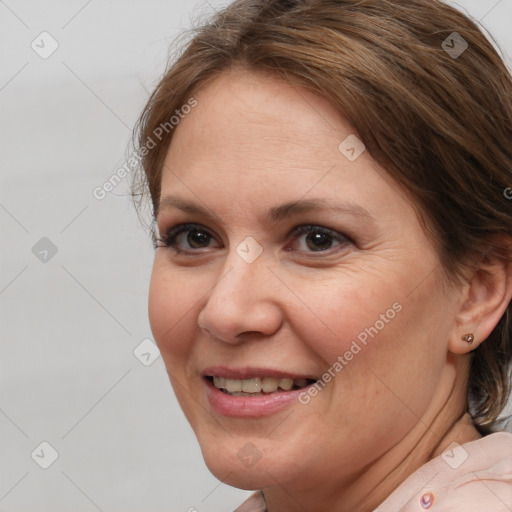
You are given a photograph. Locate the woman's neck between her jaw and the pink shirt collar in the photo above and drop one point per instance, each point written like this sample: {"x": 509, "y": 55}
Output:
{"x": 444, "y": 422}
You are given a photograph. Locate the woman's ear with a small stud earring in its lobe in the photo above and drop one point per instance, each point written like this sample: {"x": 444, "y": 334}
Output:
{"x": 487, "y": 295}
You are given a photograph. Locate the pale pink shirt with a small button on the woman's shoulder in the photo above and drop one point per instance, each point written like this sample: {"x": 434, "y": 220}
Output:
{"x": 473, "y": 477}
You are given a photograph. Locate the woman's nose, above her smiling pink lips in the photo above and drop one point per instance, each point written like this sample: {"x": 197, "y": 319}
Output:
{"x": 243, "y": 303}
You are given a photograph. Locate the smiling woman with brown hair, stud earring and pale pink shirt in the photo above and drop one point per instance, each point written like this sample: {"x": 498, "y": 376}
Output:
{"x": 332, "y": 282}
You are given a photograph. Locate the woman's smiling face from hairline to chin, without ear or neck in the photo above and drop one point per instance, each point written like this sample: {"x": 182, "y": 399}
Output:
{"x": 301, "y": 260}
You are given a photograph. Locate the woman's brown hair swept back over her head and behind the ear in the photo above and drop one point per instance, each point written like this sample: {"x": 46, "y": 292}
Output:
{"x": 438, "y": 122}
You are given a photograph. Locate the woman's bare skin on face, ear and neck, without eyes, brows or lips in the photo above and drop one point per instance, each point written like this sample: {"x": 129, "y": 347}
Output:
{"x": 254, "y": 142}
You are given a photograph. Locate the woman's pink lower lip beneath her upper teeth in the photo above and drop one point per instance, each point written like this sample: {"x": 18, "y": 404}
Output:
{"x": 249, "y": 407}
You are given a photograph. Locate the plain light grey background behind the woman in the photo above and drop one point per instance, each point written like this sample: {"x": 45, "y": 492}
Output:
{"x": 70, "y": 324}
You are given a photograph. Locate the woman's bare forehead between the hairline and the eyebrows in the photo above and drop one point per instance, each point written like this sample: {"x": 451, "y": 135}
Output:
{"x": 258, "y": 139}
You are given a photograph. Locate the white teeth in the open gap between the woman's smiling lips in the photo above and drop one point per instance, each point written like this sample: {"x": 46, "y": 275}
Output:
{"x": 257, "y": 386}
